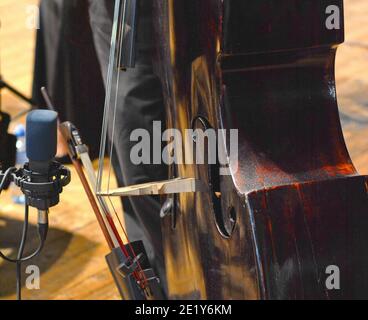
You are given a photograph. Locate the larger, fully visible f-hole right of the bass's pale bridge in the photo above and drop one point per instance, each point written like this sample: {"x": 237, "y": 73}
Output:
{"x": 214, "y": 178}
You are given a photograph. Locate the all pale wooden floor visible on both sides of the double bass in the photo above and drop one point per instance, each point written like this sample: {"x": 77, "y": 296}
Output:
{"x": 72, "y": 264}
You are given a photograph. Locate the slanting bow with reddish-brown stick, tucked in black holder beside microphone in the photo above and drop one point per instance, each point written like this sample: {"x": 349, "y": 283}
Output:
{"x": 123, "y": 257}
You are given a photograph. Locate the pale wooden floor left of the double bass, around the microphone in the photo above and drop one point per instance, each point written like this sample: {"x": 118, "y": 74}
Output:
{"x": 72, "y": 264}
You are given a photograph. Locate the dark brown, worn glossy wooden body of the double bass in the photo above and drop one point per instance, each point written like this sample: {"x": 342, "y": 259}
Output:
{"x": 295, "y": 206}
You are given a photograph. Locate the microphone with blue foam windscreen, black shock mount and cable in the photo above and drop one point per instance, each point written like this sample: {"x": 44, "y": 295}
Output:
{"x": 41, "y": 179}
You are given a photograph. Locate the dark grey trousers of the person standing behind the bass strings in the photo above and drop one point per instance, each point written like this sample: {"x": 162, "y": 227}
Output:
{"x": 140, "y": 103}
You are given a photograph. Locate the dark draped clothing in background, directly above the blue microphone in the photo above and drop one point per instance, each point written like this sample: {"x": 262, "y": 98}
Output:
{"x": 66, "y": 64}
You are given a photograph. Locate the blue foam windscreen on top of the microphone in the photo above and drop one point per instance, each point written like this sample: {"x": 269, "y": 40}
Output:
{"x": 41, "y": 135}
